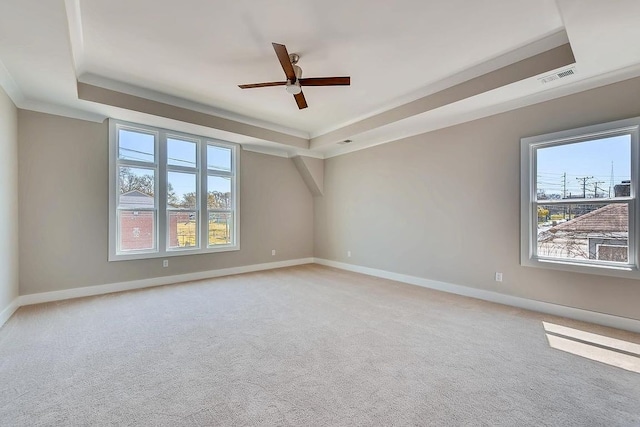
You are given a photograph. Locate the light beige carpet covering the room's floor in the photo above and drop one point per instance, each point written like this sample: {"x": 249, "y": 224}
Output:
{"x": 300, "y": 346}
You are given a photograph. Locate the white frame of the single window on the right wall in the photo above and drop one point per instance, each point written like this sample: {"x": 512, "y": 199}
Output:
{"x": 528, "y": 201}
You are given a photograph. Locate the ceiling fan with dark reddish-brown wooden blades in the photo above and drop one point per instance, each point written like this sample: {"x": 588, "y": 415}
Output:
{"x": 295, "y": 81}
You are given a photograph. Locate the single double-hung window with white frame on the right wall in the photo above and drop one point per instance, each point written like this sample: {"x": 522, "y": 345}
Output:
{"x": 579, "y": 199}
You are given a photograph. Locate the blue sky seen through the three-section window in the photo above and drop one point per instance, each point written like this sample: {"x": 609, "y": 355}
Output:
{"x": 140, "y": 146}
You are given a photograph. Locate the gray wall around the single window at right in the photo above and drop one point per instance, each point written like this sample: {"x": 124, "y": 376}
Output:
{"x": 445, "y": 205}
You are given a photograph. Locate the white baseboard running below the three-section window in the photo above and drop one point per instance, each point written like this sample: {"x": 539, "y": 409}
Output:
{"x": 155, "y": 281}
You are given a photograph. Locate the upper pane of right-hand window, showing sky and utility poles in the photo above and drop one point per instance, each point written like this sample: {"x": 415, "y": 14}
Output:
{"x": 598, "y": 168}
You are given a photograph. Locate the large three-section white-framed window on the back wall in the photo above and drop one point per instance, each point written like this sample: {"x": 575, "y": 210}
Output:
{"x": 170, "y": 193}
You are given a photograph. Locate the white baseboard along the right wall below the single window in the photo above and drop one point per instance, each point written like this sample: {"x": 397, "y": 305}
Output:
{"x": 543, "y": 307}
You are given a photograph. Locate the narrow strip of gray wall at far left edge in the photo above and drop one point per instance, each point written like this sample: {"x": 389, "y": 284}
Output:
{"x": 9, "y": 197}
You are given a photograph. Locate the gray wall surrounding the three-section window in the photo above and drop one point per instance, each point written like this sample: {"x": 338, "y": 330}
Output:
{"x": 63, "y": 184}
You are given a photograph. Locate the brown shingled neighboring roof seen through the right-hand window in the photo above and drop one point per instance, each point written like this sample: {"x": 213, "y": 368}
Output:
{"x": 609, "y": 218}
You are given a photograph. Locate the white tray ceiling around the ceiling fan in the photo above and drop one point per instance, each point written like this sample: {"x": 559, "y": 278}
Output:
{"x": 194, "y": 54}
